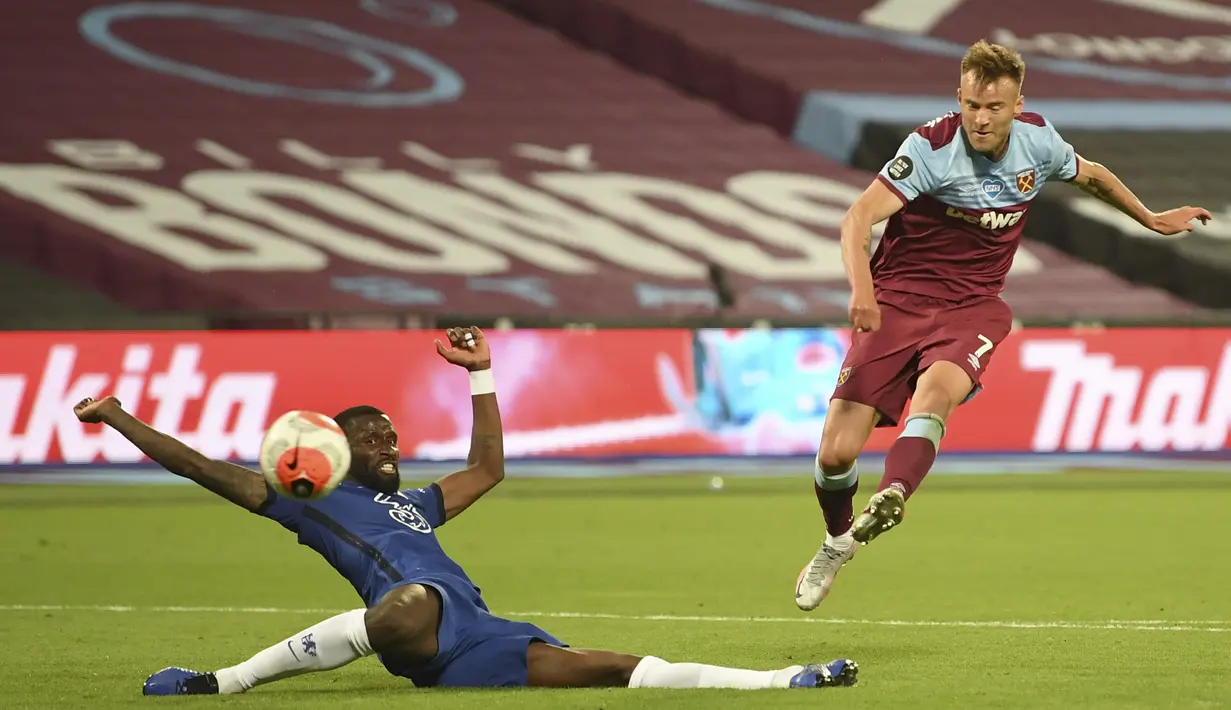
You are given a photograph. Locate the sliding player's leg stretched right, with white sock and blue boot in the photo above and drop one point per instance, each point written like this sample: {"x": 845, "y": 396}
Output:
{"x": 555, "y": 668}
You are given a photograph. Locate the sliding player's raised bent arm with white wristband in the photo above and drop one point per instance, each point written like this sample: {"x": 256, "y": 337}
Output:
{"x": 486, "y": 465}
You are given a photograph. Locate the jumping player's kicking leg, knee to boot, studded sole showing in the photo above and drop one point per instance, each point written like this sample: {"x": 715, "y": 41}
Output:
{"x": 937, "y": 394}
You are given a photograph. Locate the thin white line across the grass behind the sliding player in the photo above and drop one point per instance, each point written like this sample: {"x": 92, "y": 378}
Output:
{"x": 1115, "y": 626}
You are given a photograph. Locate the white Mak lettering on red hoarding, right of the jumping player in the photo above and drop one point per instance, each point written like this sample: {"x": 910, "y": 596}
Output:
{"x": 1095, "y": 404}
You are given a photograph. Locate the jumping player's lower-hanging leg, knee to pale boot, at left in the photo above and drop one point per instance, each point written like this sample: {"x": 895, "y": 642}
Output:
{"x": 836, "y": 479}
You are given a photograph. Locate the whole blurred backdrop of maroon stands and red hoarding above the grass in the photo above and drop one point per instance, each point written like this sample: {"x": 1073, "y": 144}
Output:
{"x": 221, "y": 212}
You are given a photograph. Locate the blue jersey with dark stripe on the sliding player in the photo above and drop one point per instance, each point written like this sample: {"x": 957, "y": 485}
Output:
{"x": 376, "y": 541}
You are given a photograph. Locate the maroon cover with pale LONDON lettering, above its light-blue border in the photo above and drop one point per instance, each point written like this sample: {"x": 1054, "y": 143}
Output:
{"x": 760, "y": 58}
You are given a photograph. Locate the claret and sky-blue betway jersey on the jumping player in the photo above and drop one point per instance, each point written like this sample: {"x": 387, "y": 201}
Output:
{"x": 964, "y": 213}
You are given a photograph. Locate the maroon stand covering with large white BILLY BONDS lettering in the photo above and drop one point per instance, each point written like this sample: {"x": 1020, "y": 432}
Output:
{"x": 441, "y": 158}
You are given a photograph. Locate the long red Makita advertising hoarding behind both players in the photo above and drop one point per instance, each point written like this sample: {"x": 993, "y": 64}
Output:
{"x": 593, "y": 394}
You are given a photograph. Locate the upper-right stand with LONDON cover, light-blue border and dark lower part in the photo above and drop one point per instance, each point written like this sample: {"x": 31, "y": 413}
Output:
{"x": 1142, "y": 87}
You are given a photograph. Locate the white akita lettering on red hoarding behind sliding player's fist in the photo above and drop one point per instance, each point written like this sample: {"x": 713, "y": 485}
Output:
{"x": 235, "y": 408}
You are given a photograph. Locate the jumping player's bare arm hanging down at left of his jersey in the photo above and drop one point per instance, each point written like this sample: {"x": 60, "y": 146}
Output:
{"x": 877, "y": 205}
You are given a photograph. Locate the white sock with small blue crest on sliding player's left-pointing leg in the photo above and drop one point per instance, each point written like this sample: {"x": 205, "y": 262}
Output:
{"x": 332, "y": 644}
